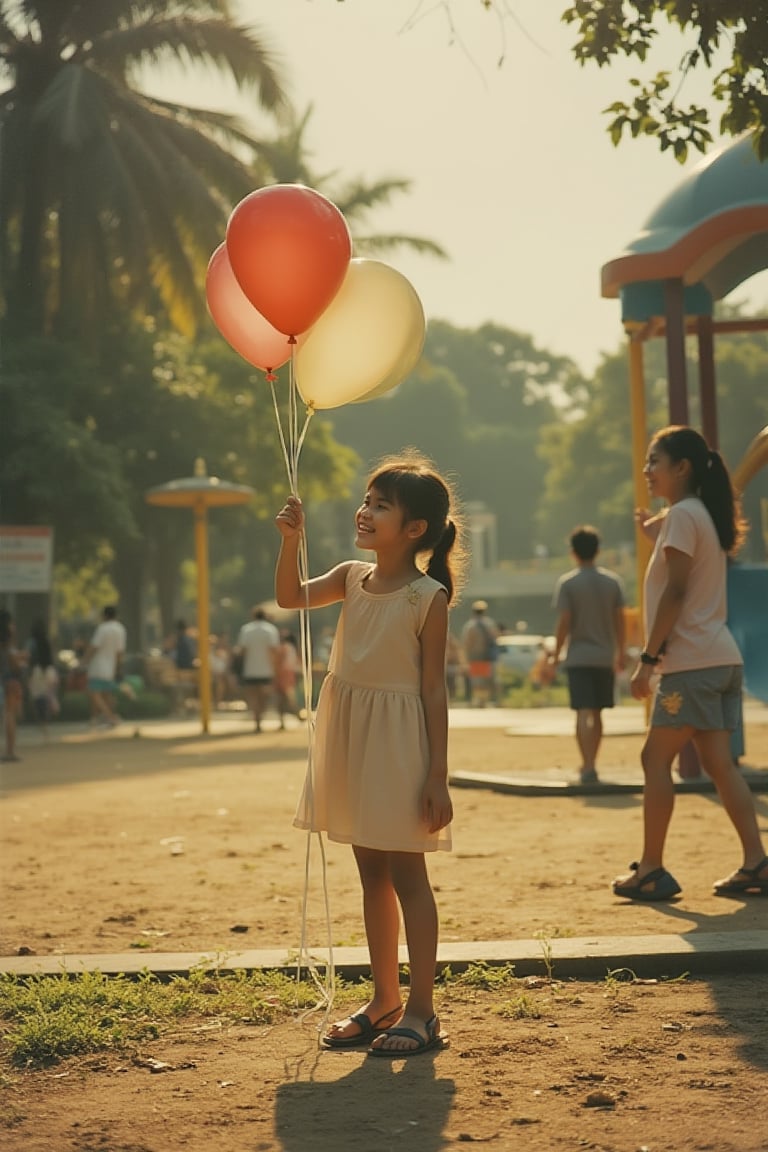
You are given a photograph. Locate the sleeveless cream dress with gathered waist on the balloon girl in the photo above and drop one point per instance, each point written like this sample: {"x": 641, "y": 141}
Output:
{"x": 371, "y": 755}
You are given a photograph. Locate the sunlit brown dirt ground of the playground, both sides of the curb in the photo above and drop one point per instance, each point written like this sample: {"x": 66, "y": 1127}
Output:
{"x": 120, "y": 843}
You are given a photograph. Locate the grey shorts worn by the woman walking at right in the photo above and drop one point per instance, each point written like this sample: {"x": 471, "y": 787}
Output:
{"x": 709, "y": 700}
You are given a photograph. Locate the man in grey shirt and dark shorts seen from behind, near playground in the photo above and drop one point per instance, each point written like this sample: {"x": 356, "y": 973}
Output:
{"x": 590, "y": 602}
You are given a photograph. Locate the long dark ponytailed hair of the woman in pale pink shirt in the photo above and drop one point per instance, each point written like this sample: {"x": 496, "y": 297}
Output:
{"x": 711, "y": 480}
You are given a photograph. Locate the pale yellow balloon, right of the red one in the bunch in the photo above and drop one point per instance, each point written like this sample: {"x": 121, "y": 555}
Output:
{"x": 369, "y": 338}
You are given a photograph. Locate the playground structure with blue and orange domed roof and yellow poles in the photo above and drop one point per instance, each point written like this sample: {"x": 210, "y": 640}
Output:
{"x": 704, "y": 240}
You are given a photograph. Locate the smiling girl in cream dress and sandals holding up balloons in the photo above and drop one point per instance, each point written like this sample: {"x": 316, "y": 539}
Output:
{"x": 381, "y": 780}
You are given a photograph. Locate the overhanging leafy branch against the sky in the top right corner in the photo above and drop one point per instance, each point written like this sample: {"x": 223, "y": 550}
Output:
{"x": 612, "y": 29}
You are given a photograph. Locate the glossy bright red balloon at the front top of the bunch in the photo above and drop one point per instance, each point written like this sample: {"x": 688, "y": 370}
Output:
{"x": 290, "y": 248}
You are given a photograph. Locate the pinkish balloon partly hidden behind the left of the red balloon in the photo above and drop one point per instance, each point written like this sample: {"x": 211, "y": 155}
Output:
{"x": 239, "y": 322}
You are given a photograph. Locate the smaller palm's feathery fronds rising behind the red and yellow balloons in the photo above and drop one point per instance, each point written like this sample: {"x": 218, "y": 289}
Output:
{"x": 290, "y": 162}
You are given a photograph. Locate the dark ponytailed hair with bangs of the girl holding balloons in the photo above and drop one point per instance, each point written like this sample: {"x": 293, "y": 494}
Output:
{"x": 413, "y": 483}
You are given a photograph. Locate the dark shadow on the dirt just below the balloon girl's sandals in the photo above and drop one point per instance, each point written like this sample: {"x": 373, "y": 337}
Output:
{"x": 379, "y": 1105}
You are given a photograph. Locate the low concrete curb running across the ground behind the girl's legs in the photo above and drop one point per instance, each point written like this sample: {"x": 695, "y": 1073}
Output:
{"x": 583, "y": 958}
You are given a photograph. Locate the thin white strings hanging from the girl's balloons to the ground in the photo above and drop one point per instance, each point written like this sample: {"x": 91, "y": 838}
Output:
{"x": 292, "y": 444}
